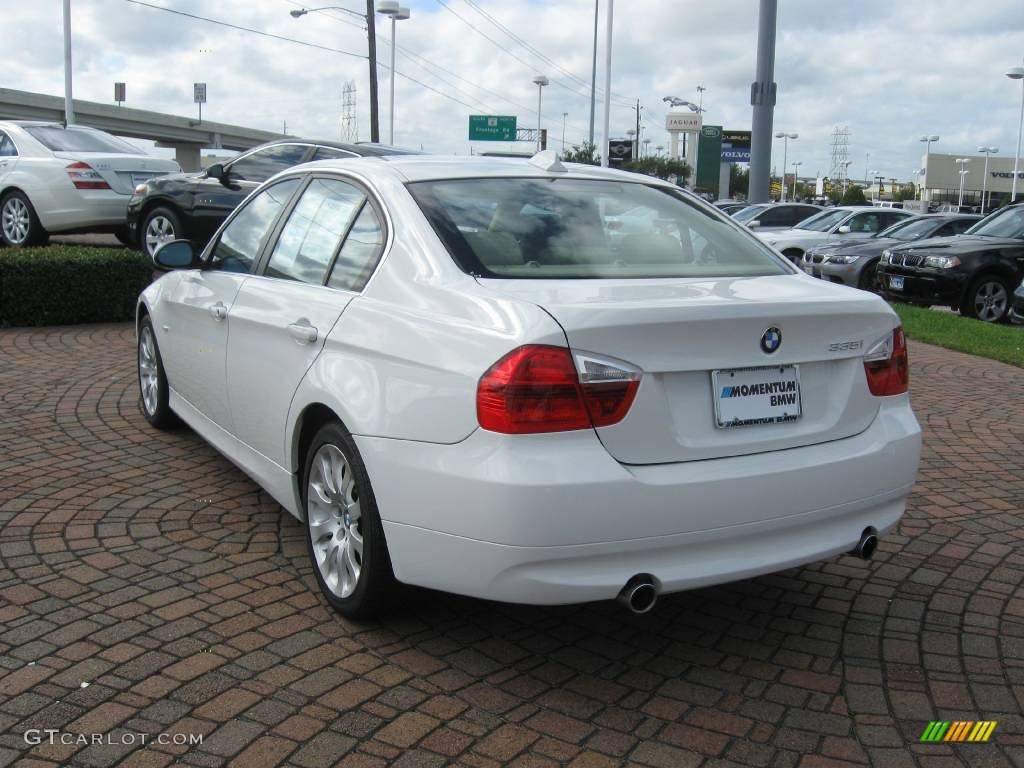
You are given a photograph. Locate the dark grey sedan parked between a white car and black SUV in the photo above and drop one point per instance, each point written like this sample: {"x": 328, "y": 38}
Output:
{"x": 854, "y": 263}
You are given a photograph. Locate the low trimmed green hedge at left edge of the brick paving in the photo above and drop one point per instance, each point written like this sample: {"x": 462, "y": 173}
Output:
{"x": 66, "y": 285}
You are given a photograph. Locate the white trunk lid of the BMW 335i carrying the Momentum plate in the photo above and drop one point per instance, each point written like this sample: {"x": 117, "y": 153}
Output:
{"x": 680, "y": 331}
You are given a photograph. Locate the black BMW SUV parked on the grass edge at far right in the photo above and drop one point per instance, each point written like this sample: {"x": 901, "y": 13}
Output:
{"x": 975, "y": 273}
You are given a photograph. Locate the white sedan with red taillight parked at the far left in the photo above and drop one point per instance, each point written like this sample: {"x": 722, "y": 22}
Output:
{"x": 57, "y": 180}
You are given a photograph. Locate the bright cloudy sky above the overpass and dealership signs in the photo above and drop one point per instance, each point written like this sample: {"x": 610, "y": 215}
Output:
{"x": 889, "y": 71}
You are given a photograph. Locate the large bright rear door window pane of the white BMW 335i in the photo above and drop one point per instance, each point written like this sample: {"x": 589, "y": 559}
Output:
{"x": 314, "y": 232}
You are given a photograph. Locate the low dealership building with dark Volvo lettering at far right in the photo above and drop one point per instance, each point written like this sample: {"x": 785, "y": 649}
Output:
{"x": 944, "y": 179}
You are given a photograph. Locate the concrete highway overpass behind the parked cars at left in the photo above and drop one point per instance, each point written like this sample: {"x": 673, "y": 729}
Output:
{"x": 186, "y": 136}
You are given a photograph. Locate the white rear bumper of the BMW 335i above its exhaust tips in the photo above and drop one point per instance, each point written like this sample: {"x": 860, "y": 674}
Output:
{"x": 554, "y": 520}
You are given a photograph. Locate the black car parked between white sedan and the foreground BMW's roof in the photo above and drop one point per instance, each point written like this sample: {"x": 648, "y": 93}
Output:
{"x": 194, "y": 205}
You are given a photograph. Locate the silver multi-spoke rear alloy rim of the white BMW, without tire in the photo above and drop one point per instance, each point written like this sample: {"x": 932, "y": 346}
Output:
{"x": 335, "y": 519}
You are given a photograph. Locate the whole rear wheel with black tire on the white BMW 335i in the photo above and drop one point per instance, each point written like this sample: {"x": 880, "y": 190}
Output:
{"x": 330, "y": 513}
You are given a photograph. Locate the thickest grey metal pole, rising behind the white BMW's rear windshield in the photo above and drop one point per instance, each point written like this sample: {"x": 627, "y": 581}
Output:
{"x": 763, "y": 93}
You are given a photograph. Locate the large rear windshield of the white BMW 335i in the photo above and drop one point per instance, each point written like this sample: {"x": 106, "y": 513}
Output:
{"x": 567, "y": 229}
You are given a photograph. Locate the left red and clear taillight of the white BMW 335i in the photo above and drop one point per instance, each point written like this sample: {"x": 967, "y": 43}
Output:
{"x": 537, "y": 389}
